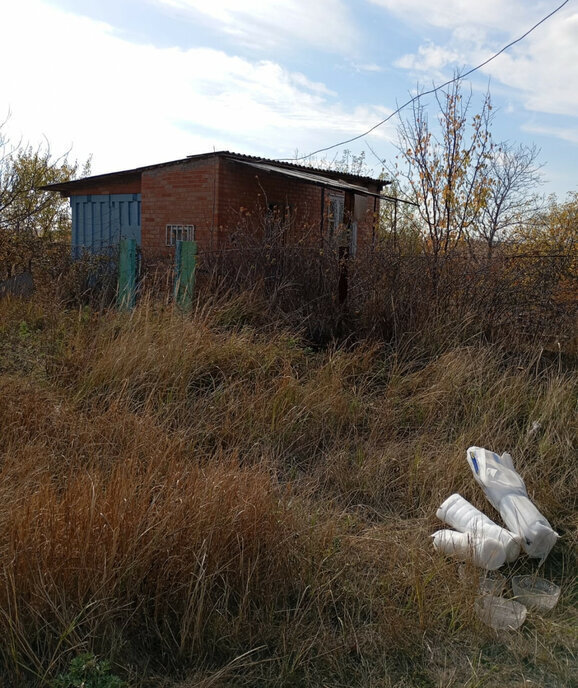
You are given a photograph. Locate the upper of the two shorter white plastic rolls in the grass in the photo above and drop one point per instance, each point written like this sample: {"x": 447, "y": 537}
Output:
{"x": 458, "y": 513}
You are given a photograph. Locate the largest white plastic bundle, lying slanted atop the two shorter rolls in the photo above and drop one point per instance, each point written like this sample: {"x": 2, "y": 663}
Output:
{"x": 506, "y": 491}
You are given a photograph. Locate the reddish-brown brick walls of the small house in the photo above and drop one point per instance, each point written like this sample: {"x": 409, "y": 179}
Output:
{"x": 228, "y": 203}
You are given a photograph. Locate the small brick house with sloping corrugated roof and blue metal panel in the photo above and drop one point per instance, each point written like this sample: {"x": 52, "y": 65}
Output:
{"x": 219, "y": 199}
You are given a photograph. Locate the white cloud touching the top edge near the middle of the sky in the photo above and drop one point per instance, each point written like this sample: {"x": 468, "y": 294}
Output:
{"x": 327, "y": 25}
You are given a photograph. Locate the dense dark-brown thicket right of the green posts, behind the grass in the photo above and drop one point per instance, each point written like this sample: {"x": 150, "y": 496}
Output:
{"x": 404, "y": 295}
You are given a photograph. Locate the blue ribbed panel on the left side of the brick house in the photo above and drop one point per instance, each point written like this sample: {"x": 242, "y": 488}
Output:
{"x": 100, "y": 221}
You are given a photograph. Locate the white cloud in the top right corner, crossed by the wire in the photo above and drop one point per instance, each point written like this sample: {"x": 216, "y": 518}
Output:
{"x": 540, "y": 70}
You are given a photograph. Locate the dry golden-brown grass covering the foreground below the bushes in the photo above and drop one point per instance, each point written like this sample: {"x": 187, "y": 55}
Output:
{"x": 210, "y": 500}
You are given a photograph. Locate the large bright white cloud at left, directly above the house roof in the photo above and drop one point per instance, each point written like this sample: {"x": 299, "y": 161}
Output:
{"x": 77, "y": 82}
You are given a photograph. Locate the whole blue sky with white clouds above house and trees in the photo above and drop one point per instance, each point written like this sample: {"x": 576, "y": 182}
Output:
{"x": 136, "y": 82}
